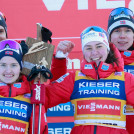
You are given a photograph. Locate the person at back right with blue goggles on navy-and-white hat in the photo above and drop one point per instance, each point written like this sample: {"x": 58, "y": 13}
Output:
{"x": 121, "y": 34}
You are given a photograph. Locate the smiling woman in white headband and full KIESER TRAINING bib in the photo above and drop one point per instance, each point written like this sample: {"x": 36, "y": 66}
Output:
{"x": 99, "y": 91}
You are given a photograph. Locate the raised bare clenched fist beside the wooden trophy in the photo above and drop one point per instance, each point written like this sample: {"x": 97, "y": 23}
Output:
{"x": 65, "y": 46}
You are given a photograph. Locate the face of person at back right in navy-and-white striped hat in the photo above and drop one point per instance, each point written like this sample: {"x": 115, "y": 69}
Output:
{"x": 122, "y": 38}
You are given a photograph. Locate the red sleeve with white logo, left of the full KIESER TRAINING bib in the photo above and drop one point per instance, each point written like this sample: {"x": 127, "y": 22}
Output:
{"x": 60, "y": 91}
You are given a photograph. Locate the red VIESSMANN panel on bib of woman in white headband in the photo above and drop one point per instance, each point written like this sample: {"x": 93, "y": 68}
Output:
{"x": 109, "y": 107}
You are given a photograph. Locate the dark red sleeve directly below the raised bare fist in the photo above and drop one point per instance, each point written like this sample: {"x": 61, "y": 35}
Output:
{"x": 58, "y": 67}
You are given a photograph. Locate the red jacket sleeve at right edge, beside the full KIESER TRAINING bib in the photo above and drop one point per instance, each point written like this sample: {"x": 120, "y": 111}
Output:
{"x": 129, "y": 88}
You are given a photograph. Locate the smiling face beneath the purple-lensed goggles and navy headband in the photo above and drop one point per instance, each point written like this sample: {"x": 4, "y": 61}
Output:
{"x": 9, "y": 70}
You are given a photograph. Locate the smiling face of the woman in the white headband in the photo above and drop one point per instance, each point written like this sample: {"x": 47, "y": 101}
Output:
{"x": 95, "y": 51}
